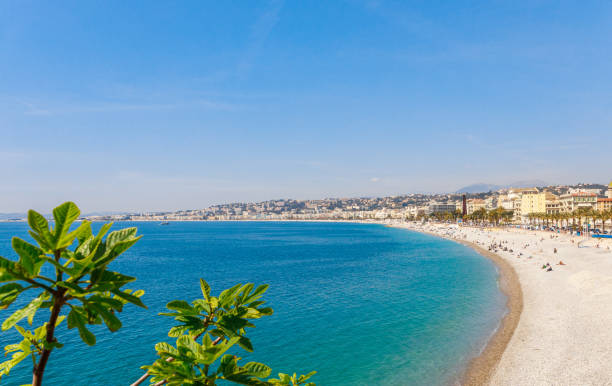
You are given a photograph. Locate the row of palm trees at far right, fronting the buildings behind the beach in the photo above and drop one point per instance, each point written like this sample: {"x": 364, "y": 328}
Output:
{"x": 574, "y": 219}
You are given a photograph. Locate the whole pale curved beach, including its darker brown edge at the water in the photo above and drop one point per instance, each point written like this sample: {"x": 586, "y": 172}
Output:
{"x": 564, "y": 334}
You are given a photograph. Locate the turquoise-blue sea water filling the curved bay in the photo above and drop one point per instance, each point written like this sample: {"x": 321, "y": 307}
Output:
{"x": 361, "y": 304}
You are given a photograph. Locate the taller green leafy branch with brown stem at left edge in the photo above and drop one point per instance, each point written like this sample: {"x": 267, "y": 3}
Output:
{"x": 82, "y": 284}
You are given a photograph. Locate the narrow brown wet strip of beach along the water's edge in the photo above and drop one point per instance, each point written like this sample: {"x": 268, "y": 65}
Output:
{"x": 481, "y": 368}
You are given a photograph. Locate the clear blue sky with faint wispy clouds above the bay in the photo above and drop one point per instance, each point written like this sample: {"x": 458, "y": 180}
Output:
{"x": 172, "y": 105}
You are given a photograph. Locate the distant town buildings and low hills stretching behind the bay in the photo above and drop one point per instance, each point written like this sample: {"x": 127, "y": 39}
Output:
{"x": 518, "y": 205}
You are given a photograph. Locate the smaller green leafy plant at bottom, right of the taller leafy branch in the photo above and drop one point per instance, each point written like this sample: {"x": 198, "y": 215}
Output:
{"x": 221, "y": 322}
